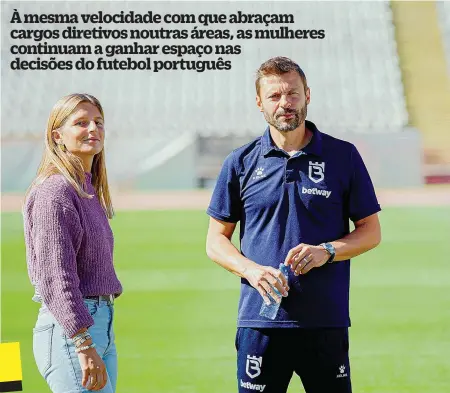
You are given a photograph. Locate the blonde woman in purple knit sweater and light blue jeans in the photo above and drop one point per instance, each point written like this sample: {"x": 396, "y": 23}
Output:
{"x": 69, "y": 247}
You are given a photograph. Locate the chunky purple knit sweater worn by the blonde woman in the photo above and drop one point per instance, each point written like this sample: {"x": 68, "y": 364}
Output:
{"x": 69, "y": 246}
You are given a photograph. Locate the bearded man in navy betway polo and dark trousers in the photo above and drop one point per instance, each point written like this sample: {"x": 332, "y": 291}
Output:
{"x": 294, "y": 191}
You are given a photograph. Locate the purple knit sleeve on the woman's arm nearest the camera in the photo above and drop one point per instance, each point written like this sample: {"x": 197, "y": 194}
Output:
{"x": 57, "y": 233}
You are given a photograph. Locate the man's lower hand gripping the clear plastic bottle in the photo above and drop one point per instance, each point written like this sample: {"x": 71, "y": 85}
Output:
{"x": 264, "y": 278}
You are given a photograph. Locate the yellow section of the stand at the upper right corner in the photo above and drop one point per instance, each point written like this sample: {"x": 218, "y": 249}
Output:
{"x": 420, "y": 37}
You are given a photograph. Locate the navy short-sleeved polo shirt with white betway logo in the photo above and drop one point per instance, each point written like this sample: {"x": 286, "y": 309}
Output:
{"x": 282, "y": 201}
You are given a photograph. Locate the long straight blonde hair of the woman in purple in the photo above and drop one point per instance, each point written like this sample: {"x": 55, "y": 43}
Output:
{"x": 57, "y": 160}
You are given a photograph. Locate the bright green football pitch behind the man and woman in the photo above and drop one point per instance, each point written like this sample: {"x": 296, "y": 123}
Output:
{"x": 175, "y": 323}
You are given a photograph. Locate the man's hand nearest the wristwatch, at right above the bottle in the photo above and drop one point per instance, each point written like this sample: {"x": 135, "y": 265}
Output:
{"x": 304, "y": 257}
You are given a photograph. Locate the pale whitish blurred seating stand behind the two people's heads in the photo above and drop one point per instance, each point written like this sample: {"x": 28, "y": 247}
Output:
{"x": 345, "y": 71}
